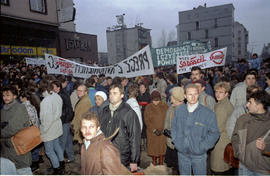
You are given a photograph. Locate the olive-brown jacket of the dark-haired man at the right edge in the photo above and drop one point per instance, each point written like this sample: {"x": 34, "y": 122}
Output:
{"x": 249, "y": 127}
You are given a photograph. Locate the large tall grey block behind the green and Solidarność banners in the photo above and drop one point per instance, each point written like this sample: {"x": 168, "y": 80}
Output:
{"x": 214, "y": 24}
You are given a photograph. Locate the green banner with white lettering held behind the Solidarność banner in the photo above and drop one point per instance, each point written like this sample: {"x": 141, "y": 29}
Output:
{"x": 166, "y": 56}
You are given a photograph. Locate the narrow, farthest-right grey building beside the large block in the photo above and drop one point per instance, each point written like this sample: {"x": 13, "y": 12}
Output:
{"x": 240, "y": 42}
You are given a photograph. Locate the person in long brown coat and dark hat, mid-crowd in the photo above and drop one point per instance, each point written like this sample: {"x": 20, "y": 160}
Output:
{"x": 154, "y": 116}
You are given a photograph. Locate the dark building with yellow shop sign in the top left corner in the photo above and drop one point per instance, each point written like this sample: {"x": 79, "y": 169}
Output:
{"x": 29, "y": 28}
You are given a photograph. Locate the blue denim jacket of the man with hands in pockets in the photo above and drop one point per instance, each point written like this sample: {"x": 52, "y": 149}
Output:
{"x": 196, "y": 132}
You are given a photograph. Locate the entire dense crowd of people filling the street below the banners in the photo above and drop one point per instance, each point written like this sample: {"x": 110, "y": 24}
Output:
{"x": 185, "y": 121}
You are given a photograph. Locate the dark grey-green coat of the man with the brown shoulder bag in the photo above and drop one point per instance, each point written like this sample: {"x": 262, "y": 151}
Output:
{"x": 16, "y": 117}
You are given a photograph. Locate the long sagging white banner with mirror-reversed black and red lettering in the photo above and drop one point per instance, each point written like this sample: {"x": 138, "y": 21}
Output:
{"x": 138, "y": 64}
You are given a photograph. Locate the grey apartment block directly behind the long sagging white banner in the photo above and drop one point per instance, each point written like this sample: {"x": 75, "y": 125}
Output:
{"x": 123, "y": 42}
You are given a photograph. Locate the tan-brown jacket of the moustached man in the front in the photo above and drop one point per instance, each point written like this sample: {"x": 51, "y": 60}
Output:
{"x": 101, "y": 158}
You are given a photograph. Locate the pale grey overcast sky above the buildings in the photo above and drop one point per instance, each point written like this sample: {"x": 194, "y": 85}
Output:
{"x": 94, "y": 16}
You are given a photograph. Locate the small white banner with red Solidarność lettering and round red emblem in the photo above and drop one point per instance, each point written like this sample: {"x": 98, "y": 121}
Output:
{"x": 207, "y": 60}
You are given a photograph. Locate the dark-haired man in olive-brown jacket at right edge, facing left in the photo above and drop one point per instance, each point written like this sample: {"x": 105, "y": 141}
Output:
{"x": 249, "y": 139}
